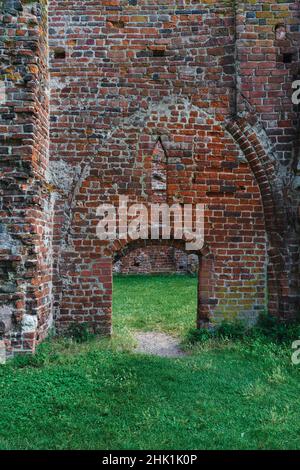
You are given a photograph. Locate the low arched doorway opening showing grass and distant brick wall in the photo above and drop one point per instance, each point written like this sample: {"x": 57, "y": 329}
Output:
{"x": 155, "y": 288}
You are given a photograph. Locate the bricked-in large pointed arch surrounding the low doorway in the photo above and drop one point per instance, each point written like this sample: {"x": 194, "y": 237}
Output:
{"x": 164, "y": 163}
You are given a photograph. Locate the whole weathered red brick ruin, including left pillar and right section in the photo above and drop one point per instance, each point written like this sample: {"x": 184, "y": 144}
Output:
{"x": 160, "y": 101}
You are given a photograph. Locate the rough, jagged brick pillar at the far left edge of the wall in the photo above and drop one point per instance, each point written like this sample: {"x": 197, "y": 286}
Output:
{"x": 25, "y": 199}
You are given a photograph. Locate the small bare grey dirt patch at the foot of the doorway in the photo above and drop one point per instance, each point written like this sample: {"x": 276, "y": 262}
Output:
{"x": 158, "y": 344}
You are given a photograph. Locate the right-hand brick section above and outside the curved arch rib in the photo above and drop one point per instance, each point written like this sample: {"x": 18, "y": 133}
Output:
{"x": 268, "y": 45}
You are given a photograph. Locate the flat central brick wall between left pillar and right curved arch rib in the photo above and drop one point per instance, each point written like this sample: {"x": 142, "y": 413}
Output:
{"x": 127, "y": 76}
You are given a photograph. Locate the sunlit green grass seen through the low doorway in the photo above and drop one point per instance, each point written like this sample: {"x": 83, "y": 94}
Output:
{"x": 155, "y": 303}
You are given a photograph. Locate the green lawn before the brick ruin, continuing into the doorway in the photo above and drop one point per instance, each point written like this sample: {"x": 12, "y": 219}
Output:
{"x": 224, "y": 394}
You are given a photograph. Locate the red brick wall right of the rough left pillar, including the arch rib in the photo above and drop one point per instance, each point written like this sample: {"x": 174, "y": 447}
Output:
{"x": 210, "y": 83}
